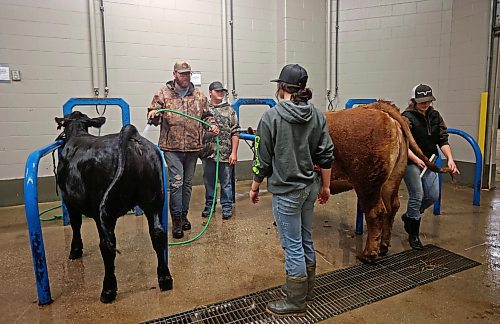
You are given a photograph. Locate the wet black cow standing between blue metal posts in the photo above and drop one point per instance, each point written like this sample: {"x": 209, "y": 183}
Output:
{"x": 103, "y": 178}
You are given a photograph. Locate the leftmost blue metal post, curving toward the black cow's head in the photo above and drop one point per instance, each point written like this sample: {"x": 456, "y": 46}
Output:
{"x": 33, "y": 220}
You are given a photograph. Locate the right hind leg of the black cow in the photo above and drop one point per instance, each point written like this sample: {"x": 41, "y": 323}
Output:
{"x": 159, "y": 241}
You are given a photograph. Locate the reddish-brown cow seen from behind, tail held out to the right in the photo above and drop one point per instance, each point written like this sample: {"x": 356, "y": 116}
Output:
{"x": 371, "y": 152}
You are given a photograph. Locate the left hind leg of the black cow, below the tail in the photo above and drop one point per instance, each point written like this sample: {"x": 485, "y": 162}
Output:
{"x": 108, "y": 252}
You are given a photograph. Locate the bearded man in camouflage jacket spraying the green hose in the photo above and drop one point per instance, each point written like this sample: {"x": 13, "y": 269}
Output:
{"x": 181, "y": 138}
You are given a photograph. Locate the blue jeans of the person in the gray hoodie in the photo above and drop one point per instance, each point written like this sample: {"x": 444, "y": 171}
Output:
{"x": 293, "y": 213}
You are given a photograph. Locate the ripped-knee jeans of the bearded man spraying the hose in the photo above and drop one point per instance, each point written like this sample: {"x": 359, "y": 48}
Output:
{"x": 181, "y": 167}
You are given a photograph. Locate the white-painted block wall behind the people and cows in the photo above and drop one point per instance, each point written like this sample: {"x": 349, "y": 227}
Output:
{"x": 385, "y": 48}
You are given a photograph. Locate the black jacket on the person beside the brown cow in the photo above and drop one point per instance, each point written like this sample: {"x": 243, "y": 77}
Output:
{"x": 428, "y": 131}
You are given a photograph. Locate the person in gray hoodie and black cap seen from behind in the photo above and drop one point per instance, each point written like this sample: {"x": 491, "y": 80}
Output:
{"x": 295, "y": 152}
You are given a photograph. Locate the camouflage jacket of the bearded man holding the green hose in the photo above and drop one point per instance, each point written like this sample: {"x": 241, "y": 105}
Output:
{"x": 179, "y": 133}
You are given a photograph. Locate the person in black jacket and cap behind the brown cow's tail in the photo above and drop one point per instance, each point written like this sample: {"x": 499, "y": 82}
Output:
{"x": 429, "y": 130}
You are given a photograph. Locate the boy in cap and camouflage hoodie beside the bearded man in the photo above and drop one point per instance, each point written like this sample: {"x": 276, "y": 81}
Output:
{"x": 226, "y": 119}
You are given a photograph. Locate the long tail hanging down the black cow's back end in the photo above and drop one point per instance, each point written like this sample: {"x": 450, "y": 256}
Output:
{"x": 126, "y": 134}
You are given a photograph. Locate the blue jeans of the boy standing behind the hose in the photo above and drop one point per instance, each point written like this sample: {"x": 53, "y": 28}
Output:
{"x": 226, "y": 184}
